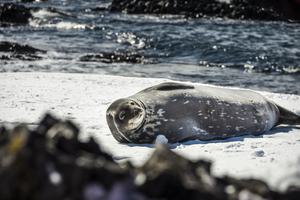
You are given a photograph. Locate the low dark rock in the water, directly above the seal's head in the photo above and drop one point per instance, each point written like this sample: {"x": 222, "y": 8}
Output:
{"x": 115, "y": 57}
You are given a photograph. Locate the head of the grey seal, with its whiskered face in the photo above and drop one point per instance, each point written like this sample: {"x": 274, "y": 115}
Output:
{"x": 125, "y": 117}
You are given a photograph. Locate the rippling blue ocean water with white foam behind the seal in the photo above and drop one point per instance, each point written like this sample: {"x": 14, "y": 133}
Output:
{"x": 250, "y": 54}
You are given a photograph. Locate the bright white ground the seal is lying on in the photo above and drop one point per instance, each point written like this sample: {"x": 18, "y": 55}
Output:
{"x": 24, "y": 97}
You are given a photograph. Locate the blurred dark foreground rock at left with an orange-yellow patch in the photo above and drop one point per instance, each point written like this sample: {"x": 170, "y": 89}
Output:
{"x": 51, "y": 162}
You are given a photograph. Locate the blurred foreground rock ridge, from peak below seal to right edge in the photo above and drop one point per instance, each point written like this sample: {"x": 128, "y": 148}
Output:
{"x": 169, "y": 176}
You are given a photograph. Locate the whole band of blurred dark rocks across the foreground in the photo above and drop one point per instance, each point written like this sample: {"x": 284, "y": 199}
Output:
{"x": 50, "y": 162}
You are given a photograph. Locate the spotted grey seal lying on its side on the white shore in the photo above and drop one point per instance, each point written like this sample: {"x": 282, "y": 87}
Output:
{"x": 183, "y": 112}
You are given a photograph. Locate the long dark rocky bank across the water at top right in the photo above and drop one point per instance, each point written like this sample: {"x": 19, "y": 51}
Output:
{"x": 236, "y": 9}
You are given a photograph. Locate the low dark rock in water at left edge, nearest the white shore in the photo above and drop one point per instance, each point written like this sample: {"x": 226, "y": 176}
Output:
{"x": 14, "y": 50}
